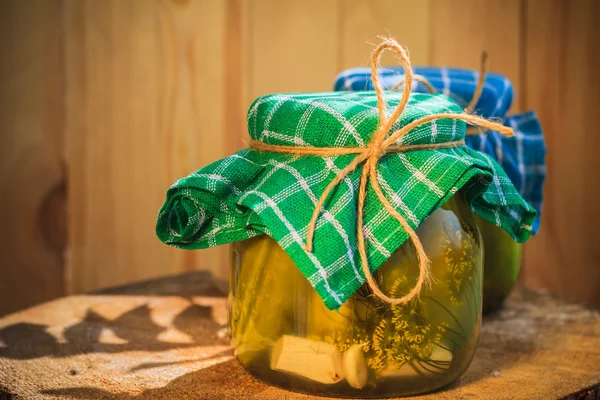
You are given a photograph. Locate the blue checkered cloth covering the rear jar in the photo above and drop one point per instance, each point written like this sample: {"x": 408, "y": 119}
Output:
{"x": 522, "y": 157}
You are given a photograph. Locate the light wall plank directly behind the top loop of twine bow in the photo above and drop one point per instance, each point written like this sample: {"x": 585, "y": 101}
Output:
{"x": 362, "y": 21}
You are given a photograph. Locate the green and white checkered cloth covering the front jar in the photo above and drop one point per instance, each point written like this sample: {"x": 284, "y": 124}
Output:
{"x": 253, "y": 192}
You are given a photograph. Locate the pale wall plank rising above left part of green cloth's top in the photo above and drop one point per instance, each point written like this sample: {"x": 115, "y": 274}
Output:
{"x": 294, "y": 46}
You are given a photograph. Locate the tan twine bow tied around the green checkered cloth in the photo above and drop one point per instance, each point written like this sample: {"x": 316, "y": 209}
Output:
{"x": 381, "y": 144}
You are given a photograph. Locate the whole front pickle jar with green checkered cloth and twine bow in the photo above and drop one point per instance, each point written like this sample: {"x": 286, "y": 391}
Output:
{"x": 357, "y": 264}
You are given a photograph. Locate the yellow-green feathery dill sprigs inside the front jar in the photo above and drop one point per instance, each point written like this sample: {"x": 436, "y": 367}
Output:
{"x": 403, "y": 334}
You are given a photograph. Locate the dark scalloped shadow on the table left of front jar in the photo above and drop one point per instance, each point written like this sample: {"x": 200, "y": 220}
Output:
{"x": 132, "y": 331}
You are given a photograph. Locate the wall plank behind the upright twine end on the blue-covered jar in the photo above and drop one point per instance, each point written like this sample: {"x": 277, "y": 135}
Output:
{"x": 462, "y": 30}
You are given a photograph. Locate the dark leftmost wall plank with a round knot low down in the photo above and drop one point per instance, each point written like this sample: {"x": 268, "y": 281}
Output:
{"x": 32, "y": 201}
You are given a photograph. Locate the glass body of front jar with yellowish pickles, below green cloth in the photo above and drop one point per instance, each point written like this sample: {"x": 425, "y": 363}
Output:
{"x": 283, "y": 333}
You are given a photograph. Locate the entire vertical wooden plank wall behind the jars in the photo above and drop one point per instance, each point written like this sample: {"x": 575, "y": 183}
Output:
{"x": 144, "y": 92}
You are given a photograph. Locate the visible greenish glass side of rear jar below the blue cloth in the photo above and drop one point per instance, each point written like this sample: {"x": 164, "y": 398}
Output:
{"x": 502, "y": 264}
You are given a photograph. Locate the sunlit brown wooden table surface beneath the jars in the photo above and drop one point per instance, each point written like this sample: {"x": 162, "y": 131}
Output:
{"x": 167, "y": 339}
